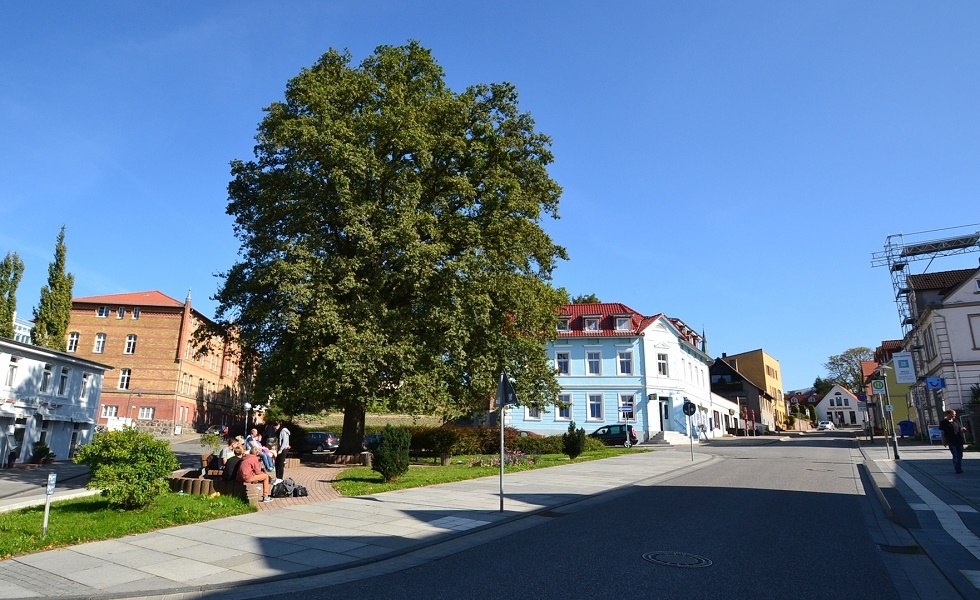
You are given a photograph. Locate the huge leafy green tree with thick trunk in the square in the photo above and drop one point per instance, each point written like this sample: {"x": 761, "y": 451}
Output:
{"x": 392, "y": 256}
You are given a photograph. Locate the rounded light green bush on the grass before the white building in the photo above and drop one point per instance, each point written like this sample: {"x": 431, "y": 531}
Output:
{"x": 131, "y": 468}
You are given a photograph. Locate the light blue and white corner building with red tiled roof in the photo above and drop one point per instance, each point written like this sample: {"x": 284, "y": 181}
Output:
{"x": 614, "y": 366}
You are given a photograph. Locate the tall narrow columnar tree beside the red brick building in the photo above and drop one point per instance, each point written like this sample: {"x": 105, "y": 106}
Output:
{"x": 52, "y": 315}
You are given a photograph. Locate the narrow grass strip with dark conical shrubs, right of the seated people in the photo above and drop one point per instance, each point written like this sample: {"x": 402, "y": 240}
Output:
{"x": 362, "y": 481}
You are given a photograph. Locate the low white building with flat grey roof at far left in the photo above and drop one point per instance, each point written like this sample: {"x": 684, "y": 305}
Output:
{"x": 46, "y": 396}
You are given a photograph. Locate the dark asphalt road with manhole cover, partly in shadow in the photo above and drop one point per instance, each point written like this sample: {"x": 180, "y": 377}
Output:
{"x": 775, "y": 521}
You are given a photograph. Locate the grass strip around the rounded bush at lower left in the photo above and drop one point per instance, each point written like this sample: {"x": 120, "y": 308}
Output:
{"x": 89, "y": 519}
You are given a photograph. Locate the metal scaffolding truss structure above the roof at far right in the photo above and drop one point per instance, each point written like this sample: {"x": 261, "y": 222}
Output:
{"x": 898, "y": 253}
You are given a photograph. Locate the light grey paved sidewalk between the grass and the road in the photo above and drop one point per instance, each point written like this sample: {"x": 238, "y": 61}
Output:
{"x": 319, "y": 536}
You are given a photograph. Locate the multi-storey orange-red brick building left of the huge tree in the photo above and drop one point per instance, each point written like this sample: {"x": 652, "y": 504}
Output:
{"x": 158, "y": 383}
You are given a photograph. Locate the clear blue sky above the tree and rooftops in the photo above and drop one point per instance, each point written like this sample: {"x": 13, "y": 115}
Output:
{"x": 733, "y": 164}
